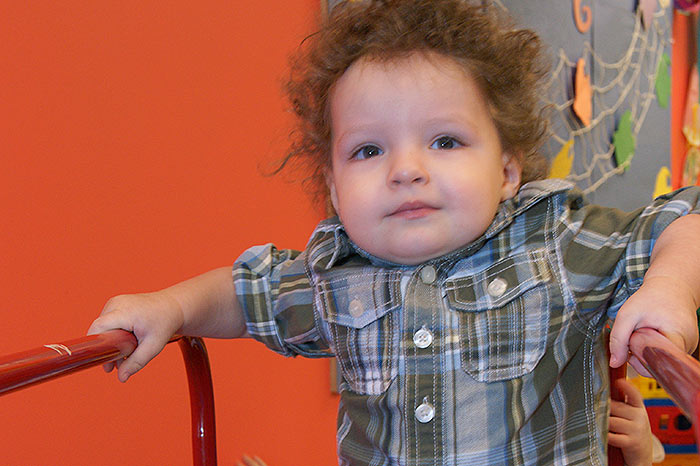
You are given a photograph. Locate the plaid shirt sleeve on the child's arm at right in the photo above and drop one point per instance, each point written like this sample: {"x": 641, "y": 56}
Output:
{"x": 606, "y": 252}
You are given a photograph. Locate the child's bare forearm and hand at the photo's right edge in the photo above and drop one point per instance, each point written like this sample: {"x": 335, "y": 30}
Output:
{"x": 669, "y": 296}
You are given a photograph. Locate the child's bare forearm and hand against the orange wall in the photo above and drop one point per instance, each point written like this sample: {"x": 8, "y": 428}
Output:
{"x": 204, "y": 306}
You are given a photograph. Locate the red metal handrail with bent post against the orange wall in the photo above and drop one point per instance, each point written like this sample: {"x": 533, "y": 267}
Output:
{"x": 20, "y": 370}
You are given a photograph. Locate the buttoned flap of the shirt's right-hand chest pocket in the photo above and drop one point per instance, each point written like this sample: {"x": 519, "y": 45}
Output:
{"x": 500, "y": 283}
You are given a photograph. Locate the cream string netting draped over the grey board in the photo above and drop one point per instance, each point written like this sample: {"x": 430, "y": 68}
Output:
{"x": 629, "y": 85}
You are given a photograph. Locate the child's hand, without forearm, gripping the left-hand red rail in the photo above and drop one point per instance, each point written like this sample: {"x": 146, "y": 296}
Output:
{"x": 152, "y": 317}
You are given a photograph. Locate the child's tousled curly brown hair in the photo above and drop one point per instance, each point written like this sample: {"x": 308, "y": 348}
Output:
{"x": 506, "y": 62}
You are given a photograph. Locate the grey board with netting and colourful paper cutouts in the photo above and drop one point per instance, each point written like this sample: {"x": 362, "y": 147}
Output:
{"x": 625, "y": 62}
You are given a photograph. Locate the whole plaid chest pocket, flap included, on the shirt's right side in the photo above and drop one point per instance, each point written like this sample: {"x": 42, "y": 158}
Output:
{"x": 503, "y": 316}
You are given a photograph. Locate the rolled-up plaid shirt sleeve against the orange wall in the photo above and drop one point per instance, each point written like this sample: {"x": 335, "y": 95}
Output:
{"x": 276, "y": 296}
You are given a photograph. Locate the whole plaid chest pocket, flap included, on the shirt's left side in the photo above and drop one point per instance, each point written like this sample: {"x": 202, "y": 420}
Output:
{"x": 361, "y": 314}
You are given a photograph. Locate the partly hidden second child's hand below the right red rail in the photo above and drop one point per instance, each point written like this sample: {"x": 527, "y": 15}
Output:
{"x": 629, "y": 427}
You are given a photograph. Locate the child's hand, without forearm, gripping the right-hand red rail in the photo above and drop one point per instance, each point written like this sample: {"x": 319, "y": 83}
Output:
{"x": 661, "y": 303}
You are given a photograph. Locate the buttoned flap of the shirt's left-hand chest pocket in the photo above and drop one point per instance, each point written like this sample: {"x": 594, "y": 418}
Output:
{"x": 358, "y": 299}
